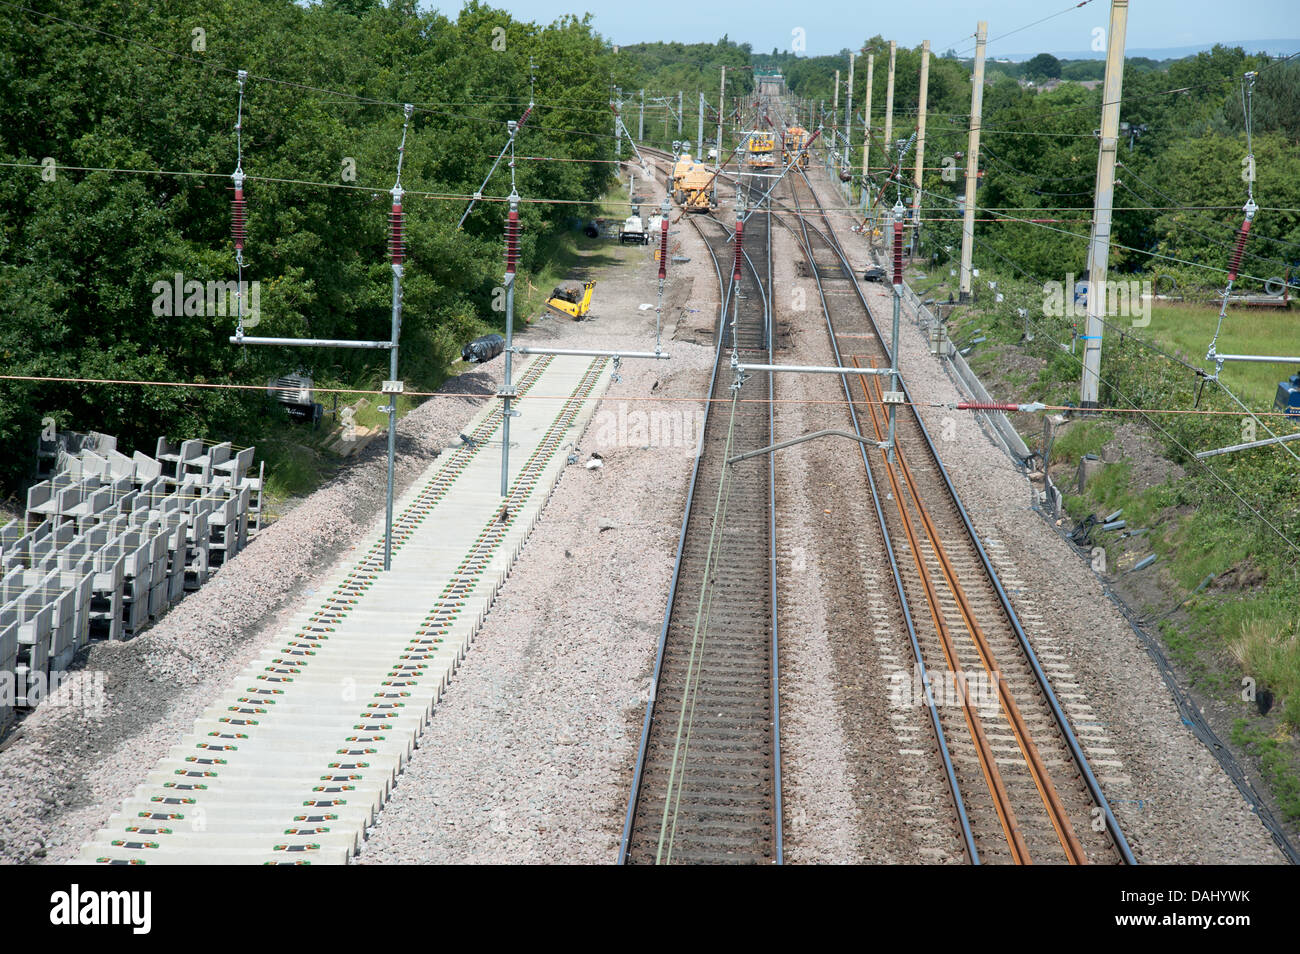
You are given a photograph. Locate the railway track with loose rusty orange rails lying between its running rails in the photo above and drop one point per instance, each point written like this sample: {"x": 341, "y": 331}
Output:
{"x": 1022, "y": 790}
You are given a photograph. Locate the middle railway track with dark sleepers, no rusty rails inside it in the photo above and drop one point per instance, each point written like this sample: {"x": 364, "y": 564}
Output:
{"x": 707, "y": 787}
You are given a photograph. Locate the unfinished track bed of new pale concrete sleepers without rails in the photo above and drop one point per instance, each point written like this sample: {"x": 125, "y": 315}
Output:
{"x": 298, "y": 756}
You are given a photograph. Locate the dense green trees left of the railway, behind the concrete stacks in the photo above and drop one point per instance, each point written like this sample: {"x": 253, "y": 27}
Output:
{"x": 80, "y": 254}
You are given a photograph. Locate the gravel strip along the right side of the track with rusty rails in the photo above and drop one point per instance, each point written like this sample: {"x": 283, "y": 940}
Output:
{"x": 1173, "y": 800}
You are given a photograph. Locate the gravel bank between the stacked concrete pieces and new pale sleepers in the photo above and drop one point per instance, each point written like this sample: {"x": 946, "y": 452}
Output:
{"x": 71, "y": 766}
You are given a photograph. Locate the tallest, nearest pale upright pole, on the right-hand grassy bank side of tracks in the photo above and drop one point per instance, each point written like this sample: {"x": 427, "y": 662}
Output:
{"x": 1099, "y": 246}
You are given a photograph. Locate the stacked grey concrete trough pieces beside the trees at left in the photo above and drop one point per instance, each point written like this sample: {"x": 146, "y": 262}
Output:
{"x": 110, "y": 543}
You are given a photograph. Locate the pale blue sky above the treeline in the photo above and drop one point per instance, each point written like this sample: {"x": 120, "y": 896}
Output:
{"x": 831, "y": 27}
